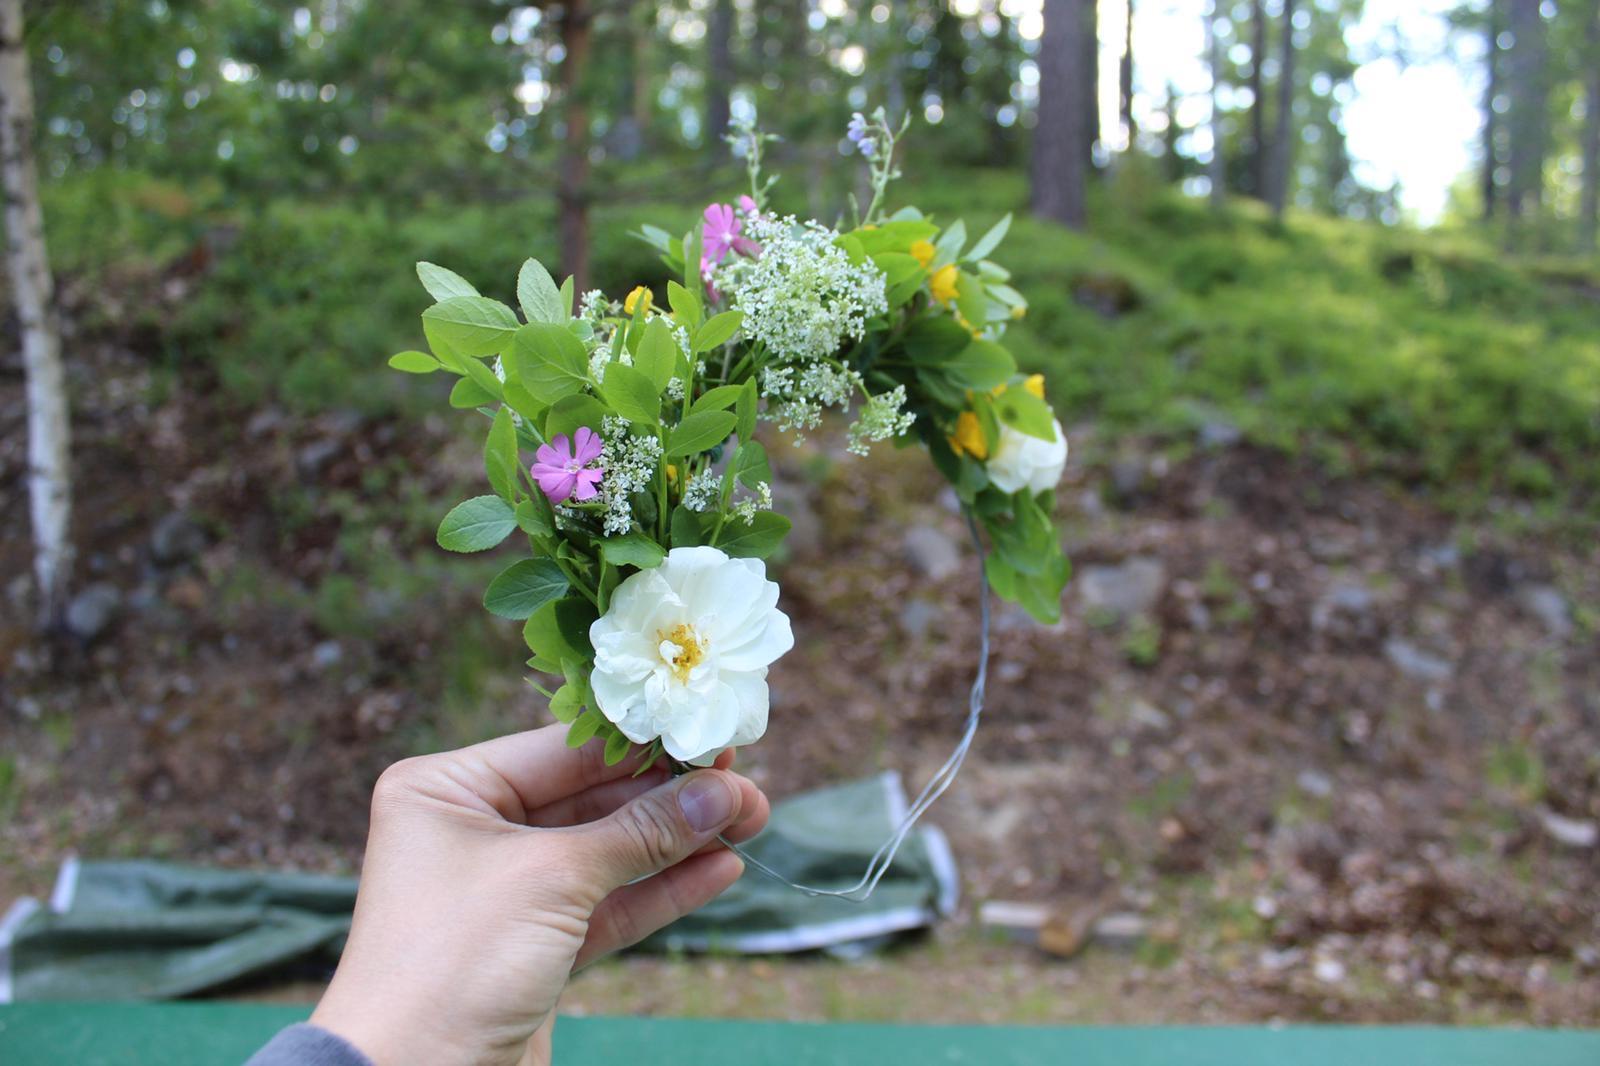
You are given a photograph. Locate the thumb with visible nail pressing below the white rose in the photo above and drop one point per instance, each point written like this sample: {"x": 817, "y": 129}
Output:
{"x": 662, "y": 828}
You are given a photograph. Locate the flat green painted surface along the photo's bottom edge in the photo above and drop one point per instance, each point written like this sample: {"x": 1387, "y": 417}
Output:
{"x": 225, "y": 1035}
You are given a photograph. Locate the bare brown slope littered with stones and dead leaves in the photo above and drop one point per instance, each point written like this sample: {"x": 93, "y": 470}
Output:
{"x": 1335, "y": 748}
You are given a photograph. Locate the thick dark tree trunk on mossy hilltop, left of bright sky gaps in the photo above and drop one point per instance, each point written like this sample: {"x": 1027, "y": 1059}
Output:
{"x": 1060, "y": 169}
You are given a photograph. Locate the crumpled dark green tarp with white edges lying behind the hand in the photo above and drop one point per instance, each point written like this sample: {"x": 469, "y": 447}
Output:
{"x": 158, "y": 931}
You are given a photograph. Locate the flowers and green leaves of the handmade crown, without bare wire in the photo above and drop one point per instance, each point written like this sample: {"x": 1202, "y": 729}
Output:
{"x": 649, "y": 505}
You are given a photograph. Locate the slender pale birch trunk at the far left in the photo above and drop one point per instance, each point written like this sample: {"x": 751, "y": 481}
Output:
{"x": 33, "y": 292}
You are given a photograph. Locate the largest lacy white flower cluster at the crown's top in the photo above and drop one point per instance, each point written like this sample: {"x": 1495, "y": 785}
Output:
{"x": 802, "y": 297}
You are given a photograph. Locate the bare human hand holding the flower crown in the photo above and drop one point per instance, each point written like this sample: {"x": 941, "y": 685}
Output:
{"x": 495, "y": 872}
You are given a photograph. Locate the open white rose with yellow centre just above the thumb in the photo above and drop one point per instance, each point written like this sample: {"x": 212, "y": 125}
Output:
{"x": 682, "y": 654}
